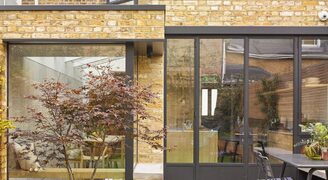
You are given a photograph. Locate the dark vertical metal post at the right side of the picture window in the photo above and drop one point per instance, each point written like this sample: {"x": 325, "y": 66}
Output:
{"x": 129, "y": 137}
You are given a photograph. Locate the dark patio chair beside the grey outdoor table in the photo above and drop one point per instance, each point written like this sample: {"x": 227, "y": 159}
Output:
{"x": 264, "y": 167}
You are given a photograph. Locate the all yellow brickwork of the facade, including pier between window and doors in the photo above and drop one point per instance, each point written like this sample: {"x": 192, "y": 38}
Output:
{"x": 150, "y": 25}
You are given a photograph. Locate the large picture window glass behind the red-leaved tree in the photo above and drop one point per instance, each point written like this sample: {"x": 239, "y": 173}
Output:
{"x": 30, "y": 64}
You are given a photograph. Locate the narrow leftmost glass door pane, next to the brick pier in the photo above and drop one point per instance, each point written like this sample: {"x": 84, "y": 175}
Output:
{"x": 180, "y": 100}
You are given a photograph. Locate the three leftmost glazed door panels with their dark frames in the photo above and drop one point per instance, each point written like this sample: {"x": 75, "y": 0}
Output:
{"x": 209, "y": 108}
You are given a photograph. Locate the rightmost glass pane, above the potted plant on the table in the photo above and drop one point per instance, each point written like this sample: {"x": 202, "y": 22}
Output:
{"x": 314, "y": 82}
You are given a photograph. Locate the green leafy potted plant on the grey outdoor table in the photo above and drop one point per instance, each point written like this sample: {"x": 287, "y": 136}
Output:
{"x": 316, "y": 146}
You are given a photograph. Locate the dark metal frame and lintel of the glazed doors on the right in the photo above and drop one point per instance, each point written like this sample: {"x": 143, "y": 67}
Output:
{"x": 247, "y": 33}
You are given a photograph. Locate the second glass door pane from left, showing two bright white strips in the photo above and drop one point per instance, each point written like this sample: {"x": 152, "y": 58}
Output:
{"x": 221, "y": 71}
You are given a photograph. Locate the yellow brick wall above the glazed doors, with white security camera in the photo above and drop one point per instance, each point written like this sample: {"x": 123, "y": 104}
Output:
{"x": 242, "y": 12}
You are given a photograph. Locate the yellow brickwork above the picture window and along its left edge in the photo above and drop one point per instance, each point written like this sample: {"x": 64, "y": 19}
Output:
{"x": 78, "y": 25}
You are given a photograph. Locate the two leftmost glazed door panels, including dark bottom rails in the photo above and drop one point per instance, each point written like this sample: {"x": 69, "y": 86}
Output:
{"x": 204, "y": 109}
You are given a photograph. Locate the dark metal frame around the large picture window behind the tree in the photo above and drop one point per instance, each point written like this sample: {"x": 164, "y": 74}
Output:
{"x": 129, "y": 52}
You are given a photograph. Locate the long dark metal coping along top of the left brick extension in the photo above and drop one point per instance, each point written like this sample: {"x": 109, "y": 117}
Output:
{"x": 104, "y": 7}
